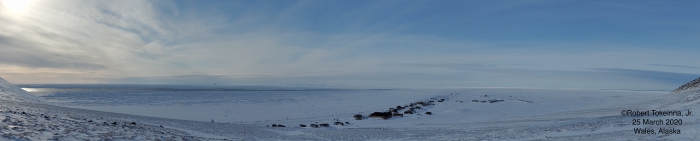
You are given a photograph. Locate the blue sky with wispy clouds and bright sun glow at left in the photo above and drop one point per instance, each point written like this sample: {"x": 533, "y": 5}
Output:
{"x": 644, "y": 45}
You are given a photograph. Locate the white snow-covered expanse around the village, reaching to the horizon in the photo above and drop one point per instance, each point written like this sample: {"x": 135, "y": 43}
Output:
{"x": 515, "y": 114}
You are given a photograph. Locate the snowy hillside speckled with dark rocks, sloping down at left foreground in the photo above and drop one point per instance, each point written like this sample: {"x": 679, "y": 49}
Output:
{"x": 25, "y": 116}
